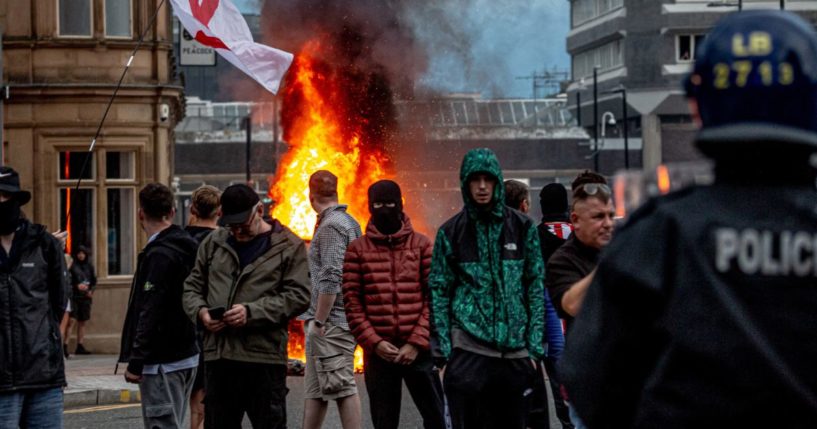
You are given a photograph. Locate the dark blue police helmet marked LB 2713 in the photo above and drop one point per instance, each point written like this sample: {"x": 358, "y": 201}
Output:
{"x": 755, "y": 81}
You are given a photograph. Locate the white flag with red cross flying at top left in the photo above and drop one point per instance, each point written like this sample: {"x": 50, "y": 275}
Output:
{"x": 219, "y": 25}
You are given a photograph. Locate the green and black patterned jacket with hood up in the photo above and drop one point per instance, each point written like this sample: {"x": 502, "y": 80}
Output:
{"x": 487, "y": 276}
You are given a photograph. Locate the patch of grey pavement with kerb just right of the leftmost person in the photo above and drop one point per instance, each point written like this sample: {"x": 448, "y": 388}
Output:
{"x": 91, "y": 381}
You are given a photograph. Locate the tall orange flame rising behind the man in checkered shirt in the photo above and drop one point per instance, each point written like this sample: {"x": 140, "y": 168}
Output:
{"x": 322, "y": 137}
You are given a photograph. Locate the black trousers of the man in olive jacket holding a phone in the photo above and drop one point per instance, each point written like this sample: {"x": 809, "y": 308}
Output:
{"x": 235, "y": 388}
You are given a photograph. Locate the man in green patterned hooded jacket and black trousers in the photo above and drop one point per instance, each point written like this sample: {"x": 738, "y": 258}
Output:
{"x": 488, "y": 302}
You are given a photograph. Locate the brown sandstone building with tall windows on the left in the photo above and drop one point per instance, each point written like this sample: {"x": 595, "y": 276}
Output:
{"x": 61, "y": 61}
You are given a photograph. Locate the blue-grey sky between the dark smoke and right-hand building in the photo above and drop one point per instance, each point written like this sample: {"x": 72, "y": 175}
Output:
{"x": 507, "y": 40}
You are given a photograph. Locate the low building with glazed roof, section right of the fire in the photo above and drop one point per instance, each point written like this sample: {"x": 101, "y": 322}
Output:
{"x": 536, "y": 141}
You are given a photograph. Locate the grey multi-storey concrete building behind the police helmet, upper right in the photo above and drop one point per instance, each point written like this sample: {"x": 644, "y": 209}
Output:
{"x": 646, "y": 48}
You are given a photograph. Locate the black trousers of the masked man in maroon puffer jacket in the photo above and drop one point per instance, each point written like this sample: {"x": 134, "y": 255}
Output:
{"x": 384, "y": 384}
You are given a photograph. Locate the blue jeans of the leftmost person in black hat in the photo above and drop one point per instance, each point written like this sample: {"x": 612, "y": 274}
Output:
{"x": 34, "y": 409}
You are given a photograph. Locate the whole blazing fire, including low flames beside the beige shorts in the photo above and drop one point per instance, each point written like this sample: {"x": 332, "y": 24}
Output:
{"x": 331, "y": 122}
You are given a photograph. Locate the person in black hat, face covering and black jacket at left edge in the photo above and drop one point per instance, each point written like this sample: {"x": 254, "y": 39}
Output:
{"x": 34, "y": 289}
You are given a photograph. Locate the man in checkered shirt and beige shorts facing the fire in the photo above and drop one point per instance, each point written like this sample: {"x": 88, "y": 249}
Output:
{"x": 330, "y": 344}
